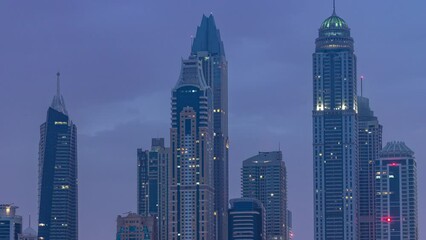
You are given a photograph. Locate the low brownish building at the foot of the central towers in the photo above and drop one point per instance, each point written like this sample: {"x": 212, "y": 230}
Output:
{"x": 136, "y": 227}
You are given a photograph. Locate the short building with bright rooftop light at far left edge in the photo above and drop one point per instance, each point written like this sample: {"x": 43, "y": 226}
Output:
{"x": 10, "y": 223}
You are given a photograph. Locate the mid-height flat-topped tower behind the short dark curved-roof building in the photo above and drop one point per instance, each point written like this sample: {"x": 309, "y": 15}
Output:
{"x": 264, "y": 177}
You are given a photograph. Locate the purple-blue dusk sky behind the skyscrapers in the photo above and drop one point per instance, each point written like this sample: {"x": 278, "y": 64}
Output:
{"x": 119, "y": 61}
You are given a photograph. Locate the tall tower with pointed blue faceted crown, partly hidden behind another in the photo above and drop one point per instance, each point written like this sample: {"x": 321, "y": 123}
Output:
{"x": 208, "y": 48}
